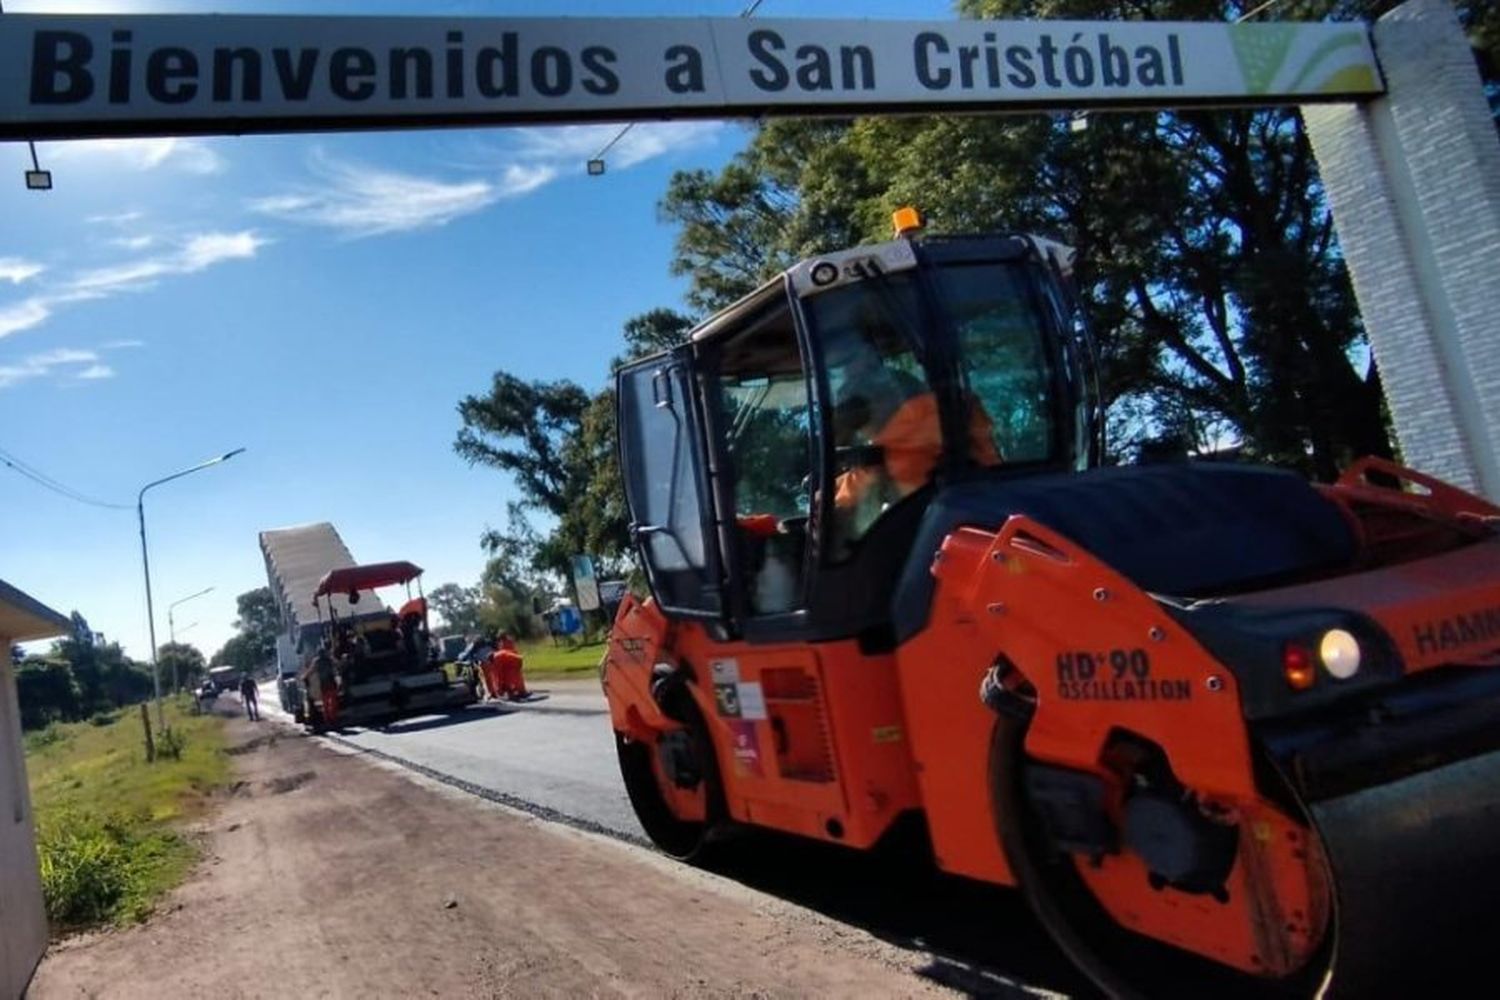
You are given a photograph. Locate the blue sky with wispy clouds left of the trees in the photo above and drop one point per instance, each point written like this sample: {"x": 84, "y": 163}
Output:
{"x": 323, "y": 302}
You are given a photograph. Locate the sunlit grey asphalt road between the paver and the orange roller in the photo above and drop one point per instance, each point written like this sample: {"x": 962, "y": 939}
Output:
{"x": 556, "y": 756}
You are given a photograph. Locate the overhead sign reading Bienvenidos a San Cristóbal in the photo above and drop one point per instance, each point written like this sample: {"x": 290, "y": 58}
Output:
{"x": 97, "y": 76}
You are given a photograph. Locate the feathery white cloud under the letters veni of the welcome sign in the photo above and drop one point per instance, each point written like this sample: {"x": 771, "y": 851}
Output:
{"x": 364, "y": 202}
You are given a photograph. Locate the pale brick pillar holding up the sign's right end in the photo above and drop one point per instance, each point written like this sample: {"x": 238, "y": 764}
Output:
{"x": 1414, "y": 181}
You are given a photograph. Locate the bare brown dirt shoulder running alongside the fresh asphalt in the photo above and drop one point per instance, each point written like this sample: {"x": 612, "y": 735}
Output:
{"x": 329, "y": 875}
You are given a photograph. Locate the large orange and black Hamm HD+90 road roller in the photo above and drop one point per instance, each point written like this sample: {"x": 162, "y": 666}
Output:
{"x": 1213, "y": 720}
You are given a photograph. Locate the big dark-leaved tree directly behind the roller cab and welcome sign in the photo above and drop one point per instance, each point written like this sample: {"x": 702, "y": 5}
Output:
{"x": 1208, "y": 254}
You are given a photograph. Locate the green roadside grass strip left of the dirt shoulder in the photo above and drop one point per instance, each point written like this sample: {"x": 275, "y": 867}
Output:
{"x": 109, "y": 824}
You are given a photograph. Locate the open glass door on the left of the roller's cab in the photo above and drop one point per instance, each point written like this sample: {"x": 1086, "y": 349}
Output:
{"x": 662, "y": 461}
